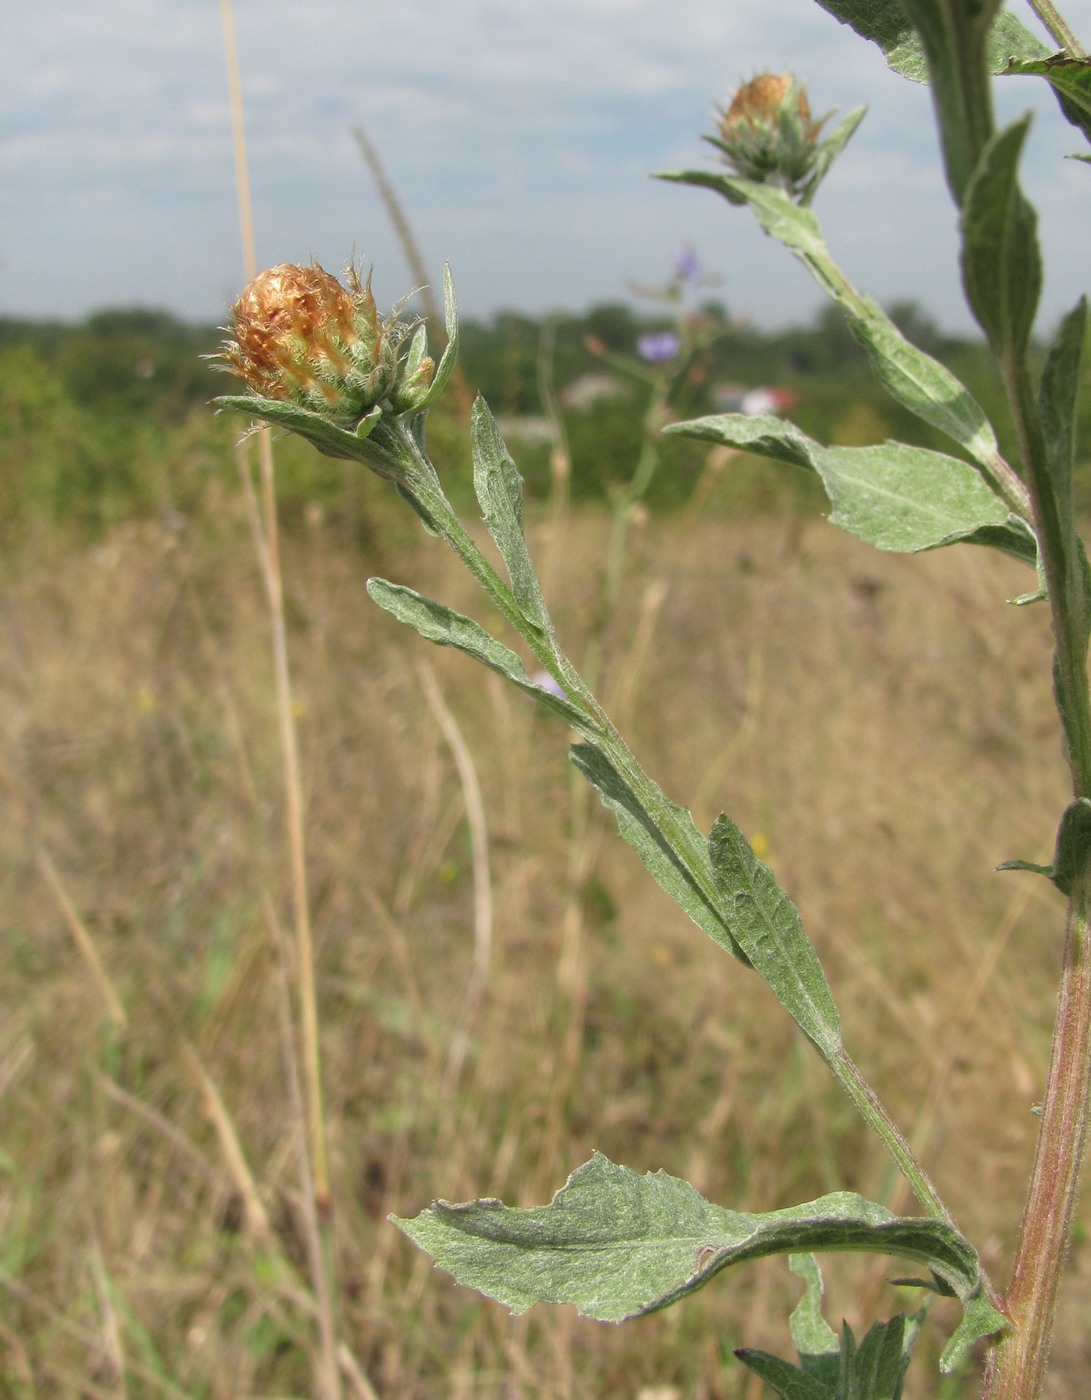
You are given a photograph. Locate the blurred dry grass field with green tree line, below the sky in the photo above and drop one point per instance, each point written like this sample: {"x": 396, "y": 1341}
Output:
{"x": 882, "y": 729}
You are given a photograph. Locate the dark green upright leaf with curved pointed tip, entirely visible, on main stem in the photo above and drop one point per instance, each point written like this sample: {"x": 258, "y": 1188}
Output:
{"x": 1002, "y": 269}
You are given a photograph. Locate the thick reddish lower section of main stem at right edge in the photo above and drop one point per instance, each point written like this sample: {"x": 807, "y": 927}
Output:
{"x": 1017, "y": 1364}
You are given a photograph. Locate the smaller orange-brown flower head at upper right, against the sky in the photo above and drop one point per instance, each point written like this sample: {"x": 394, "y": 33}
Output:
{"x": 768, "y": 135}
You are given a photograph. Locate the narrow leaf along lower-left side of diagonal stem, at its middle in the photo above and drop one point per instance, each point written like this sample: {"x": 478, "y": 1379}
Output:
{"x": 663, "y": 862}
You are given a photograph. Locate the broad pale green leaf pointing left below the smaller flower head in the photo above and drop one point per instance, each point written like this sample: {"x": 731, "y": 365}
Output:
{"x": 894, "y": 496}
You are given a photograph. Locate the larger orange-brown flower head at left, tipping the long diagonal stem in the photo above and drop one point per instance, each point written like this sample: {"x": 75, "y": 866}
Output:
{"x": 303, "y": 338}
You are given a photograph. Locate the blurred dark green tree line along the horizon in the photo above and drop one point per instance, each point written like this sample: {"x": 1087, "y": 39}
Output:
{"x": 109, "y": 418}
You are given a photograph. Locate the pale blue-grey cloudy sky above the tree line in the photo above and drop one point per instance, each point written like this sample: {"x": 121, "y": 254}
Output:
{"x": 520, "y": 138}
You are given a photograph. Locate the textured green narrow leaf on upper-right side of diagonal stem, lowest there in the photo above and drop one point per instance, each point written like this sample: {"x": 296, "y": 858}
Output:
{"x": 767, "y": 926}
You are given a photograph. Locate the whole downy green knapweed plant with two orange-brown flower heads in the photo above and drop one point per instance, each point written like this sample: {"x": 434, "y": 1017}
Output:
{"x": 320, "y": 362}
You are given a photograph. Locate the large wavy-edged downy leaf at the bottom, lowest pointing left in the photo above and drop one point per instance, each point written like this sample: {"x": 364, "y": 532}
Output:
{"x": 617, "y": 1245}
